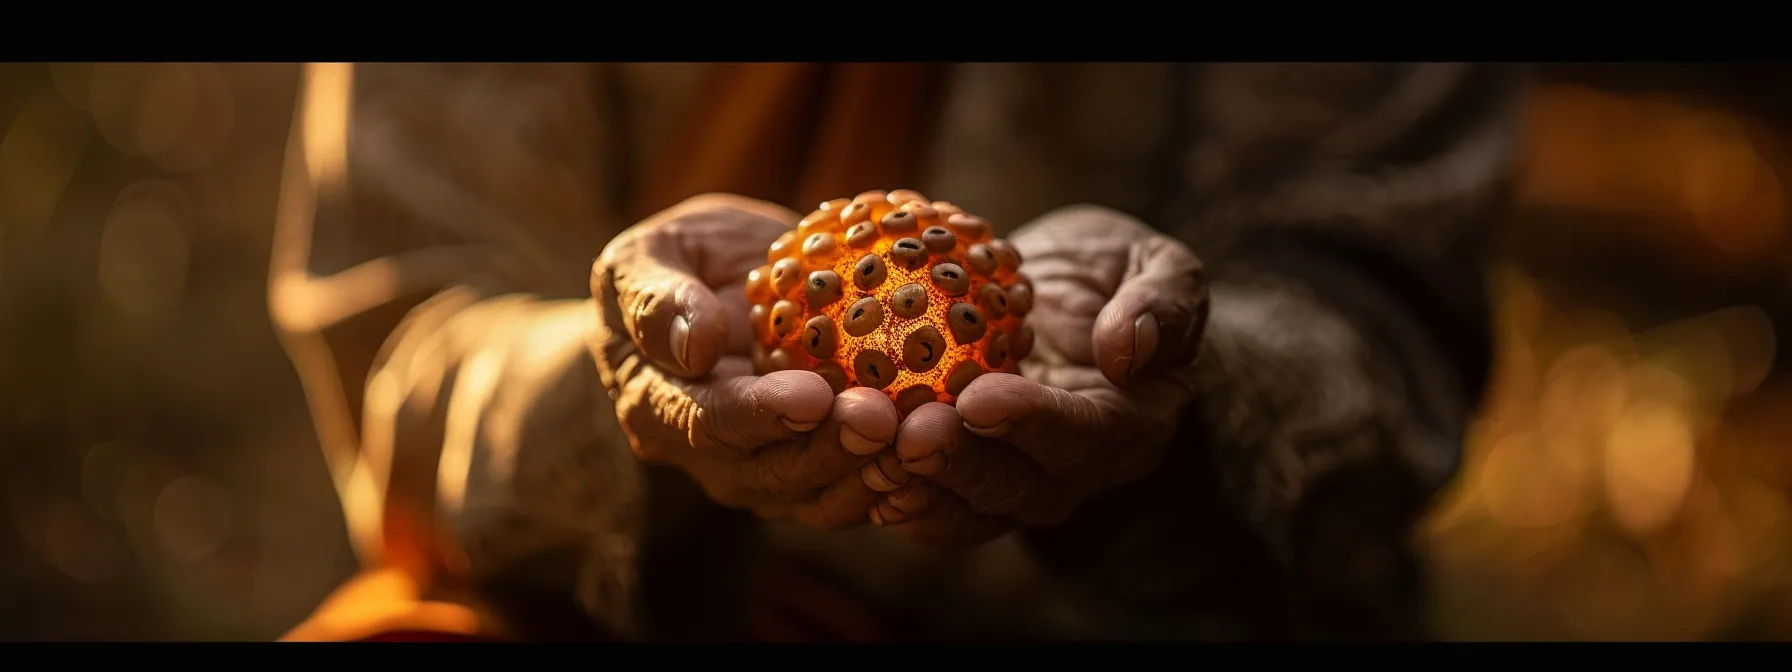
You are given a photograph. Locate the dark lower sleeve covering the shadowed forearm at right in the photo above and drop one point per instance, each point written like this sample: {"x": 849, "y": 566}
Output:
{"x": 1332, "y": 417}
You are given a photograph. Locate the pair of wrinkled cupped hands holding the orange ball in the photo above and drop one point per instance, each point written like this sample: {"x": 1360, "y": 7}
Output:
{"x": 1119, "y": 313}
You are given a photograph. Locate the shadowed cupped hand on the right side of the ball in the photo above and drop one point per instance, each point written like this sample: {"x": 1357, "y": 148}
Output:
{"x": 1119, "y": 318}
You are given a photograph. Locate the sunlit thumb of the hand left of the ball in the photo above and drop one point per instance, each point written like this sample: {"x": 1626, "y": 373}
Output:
{"x": 668, "y": 313}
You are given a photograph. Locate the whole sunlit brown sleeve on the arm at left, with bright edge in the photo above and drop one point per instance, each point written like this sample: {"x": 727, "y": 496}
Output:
{"x": 429, "y": 280}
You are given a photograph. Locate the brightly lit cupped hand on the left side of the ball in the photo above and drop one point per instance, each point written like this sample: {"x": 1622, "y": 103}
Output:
{"x": 675, "y": 356}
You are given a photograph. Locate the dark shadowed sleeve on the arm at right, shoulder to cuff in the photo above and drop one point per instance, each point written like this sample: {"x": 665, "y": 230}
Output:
{"x": 1343, "y": 212}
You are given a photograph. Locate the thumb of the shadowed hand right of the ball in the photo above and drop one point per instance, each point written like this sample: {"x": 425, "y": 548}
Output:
{"x": 1157, "y": 316}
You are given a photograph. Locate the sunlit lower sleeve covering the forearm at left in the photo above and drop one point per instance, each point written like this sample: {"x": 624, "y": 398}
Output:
{"x": 488, "y": 452}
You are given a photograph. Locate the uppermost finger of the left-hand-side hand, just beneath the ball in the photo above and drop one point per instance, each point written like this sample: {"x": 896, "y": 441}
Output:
{"x": 745, "y": 413}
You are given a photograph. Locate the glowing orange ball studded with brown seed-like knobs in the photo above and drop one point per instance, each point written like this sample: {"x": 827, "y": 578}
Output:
{"x": 892, "y": 291}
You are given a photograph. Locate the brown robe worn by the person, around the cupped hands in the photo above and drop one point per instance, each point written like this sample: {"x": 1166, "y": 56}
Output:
{"x": 440, "y": 221}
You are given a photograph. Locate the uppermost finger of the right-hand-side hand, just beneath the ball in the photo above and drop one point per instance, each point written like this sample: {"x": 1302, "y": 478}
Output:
{"x": 1056, "y": 429}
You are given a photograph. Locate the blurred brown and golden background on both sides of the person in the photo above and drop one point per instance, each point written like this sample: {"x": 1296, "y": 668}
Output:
{"x": 1626, "y": 481}
